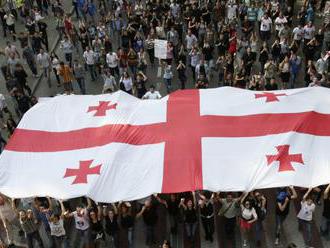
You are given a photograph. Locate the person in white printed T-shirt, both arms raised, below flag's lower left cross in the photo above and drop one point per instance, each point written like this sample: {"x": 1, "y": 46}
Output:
{"x": 81, "y": 222}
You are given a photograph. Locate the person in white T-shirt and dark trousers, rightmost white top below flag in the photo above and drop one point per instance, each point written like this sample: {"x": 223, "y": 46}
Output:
{"x": 305, "y": 217}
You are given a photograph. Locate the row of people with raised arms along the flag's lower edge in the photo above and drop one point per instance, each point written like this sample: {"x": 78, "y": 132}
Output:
{"x": 98, "y": 224}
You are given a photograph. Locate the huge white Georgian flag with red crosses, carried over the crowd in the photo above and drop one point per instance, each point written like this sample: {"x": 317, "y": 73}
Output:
{"x": 116, "y": 147}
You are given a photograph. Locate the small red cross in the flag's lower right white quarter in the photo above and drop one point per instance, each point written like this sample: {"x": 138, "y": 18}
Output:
{"x": 285, "y": 158}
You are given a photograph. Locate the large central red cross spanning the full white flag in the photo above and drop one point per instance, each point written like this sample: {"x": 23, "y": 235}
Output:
{"x": 182, "y": 134}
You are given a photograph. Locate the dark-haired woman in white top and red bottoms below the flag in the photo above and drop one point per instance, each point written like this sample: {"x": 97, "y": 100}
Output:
{"x": 248, "y": 217}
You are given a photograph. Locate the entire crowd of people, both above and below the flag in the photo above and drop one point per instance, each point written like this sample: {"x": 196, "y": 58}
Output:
{"x": 250, "y": 44}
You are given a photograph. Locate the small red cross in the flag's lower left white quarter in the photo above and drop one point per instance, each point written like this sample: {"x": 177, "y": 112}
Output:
{"x": 84, "y": 170}
